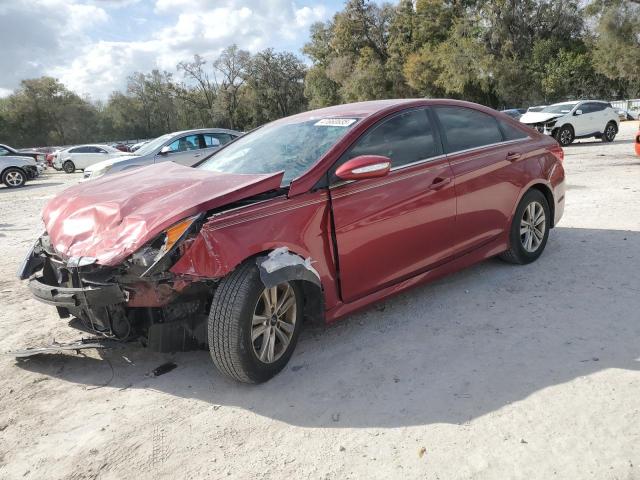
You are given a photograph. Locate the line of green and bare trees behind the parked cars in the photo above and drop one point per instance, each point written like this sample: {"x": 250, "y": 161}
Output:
{"x": 504, "y": 53}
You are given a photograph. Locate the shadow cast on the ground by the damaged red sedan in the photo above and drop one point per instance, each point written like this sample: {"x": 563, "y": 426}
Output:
{"x": 446, "y": 352}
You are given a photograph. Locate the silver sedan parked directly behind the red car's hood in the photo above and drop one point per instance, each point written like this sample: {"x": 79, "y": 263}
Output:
{"x": 186, "y": 148}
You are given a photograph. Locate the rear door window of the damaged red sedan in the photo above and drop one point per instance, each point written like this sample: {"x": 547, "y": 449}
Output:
{"x": 465, "y": 128}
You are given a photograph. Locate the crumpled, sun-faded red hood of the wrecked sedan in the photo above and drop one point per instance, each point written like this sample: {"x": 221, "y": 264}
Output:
{"x": 112, "y": 217}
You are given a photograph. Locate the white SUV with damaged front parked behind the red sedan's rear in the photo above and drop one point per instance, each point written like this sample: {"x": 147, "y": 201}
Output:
{"x": 570, "y": 120}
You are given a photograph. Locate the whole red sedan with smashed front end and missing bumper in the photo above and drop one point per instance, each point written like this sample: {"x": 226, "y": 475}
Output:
{"x": 310, "y": 217}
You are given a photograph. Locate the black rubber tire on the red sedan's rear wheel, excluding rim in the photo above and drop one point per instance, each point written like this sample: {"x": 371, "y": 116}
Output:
{"x": 517, "y": 252}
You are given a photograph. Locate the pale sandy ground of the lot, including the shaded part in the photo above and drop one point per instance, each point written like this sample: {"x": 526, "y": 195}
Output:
{"x": 496, "y": 372}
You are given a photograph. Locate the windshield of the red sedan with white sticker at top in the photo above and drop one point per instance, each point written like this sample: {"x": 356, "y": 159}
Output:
{"x": 289, "y": 147}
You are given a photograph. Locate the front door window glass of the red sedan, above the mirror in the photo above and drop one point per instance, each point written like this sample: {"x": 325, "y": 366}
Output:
{"x": 404, "y": 138}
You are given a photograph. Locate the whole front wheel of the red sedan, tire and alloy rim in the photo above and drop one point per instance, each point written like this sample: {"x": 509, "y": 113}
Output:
{"x": 252, "y": 329}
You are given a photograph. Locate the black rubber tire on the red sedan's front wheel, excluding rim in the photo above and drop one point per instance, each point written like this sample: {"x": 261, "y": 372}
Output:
{"x": 230, "y": 323}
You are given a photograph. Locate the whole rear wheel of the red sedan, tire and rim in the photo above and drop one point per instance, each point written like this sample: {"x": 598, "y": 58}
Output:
{"x": 529, "y": 229}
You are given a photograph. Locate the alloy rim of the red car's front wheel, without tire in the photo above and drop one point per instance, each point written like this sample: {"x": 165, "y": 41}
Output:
{"x": 273, "y": 322}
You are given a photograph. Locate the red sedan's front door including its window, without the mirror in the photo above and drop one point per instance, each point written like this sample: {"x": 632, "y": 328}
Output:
{"x": 391, "y": 228}
